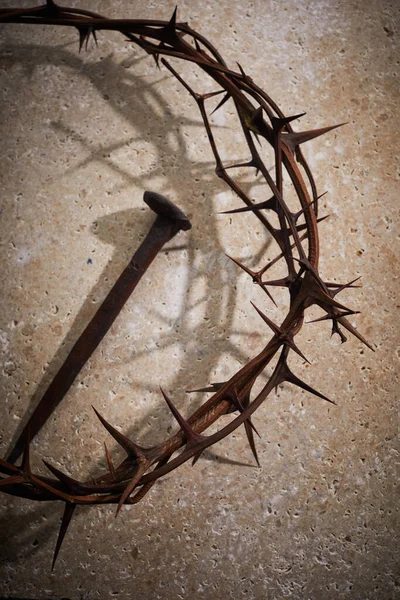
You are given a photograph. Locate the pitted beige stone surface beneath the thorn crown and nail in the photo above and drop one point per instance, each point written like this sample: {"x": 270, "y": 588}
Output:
{"x": 83, "y": 135}
